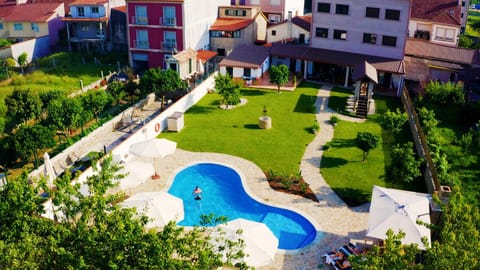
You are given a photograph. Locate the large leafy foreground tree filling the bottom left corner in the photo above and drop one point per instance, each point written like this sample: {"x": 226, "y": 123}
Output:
{"x": 94, "y": 231}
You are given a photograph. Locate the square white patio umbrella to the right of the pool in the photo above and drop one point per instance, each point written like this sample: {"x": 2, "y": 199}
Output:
{"x": 399, "y": 210}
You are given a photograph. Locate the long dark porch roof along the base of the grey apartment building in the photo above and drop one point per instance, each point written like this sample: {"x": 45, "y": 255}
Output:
{"x": 336, "y": 57}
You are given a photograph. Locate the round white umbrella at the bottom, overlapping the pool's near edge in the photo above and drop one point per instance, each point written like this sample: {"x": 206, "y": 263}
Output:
{"x": 260, "y": 242}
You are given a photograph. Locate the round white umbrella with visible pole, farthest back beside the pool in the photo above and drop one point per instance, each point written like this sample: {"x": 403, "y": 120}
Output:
{"x": 154, "y": 149}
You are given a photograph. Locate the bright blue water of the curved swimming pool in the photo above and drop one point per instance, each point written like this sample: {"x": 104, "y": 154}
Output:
{"x": 224, "y": 195}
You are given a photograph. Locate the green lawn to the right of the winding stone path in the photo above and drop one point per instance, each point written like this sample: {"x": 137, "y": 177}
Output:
{"x": 342, "y": 165}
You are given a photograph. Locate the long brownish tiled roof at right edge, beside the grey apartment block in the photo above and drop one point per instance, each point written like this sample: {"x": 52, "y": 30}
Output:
{"x": 419, "y": 48}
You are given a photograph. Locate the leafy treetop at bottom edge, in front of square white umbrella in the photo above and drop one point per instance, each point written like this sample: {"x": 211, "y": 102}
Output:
{"x": 394, "y": 255}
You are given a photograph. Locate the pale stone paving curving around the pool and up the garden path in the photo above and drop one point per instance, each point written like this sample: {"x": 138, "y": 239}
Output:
{"x": 337, "y": 223}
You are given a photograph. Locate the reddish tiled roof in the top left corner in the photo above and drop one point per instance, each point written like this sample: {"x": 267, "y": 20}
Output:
{"x": 40, "y": 12}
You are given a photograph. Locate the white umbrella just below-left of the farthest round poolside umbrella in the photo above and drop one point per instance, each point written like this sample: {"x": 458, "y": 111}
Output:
{"x": 136, "y": 171}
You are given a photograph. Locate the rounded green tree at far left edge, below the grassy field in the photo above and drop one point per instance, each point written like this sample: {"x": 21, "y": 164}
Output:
{"x": 23, "y": 105}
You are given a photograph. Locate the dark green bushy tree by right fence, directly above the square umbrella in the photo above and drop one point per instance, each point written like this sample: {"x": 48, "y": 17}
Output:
{"x": 405, "y": 167}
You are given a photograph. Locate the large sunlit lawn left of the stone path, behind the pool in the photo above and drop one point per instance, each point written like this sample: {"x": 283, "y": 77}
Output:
{"x": 211, "y": 129}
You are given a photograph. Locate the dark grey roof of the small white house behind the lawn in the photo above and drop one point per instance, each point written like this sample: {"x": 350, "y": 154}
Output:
{"x": 246, "y": 56}
